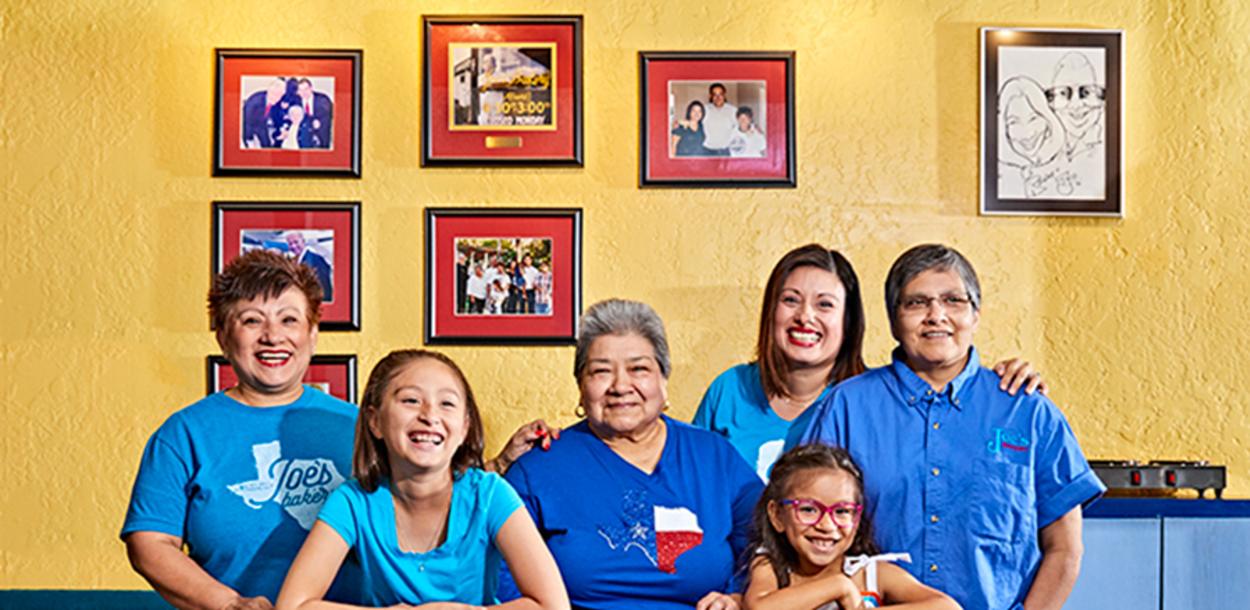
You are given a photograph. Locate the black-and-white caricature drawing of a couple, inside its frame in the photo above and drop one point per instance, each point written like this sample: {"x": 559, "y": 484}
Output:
{"x": 1051, "y": 122}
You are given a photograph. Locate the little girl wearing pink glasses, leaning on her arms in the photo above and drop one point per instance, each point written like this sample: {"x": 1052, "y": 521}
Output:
{"x": 813, "y": 543}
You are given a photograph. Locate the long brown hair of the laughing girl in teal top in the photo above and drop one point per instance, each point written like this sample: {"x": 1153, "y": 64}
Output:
{"x": 371, "y": 463}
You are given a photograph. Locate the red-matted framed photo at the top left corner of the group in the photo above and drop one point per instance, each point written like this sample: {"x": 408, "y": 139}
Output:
{"x": 293, "y": 113}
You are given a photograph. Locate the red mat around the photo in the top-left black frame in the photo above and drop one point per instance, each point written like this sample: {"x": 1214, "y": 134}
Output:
{"x": 236, "y": 157}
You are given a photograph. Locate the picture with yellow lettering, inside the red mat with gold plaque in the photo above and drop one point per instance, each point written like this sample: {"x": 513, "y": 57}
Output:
{"x": 503, "y": 87}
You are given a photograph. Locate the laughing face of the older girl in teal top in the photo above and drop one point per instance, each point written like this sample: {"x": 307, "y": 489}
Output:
{"x": 423, "y": 418}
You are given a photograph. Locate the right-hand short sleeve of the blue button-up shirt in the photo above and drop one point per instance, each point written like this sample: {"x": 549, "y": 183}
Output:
{"x": 1063, "y": 479}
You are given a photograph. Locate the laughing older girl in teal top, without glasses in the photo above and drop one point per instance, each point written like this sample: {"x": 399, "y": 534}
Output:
{"x": 426, "y": 524}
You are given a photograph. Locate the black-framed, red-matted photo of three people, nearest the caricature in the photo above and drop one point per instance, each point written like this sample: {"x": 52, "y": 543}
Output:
{"x": 717, "y": 119}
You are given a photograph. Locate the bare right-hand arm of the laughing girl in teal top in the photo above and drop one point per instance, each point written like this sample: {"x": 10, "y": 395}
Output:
{"x": 533, "y": 568}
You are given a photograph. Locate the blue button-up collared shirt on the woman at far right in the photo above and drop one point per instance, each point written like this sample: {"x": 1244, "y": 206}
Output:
{"x": 963, "y": 478}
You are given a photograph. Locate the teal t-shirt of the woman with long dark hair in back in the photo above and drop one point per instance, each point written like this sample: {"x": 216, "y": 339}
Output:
{"x": 736, "y": 408}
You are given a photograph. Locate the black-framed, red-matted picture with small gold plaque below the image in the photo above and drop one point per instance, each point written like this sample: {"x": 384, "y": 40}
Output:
{"x": 502, "y": 91}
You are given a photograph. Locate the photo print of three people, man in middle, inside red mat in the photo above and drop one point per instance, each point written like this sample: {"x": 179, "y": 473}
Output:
{"x": 713, "y": 119}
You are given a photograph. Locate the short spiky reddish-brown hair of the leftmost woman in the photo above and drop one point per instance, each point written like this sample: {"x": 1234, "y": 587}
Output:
{"x": 262, "y": 273}
